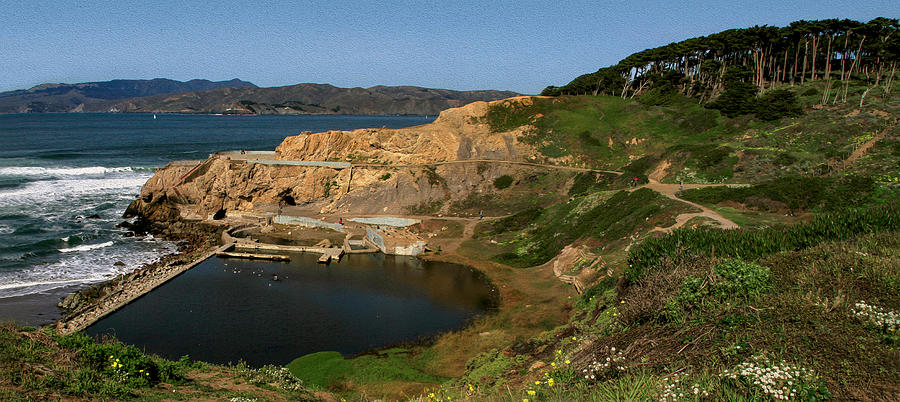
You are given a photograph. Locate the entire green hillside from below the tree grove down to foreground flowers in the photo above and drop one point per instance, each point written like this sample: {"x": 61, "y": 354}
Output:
{"x": 801, "y": 304}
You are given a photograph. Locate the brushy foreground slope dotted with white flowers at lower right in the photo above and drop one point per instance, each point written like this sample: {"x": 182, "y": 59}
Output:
{"x": 809, "y": 324}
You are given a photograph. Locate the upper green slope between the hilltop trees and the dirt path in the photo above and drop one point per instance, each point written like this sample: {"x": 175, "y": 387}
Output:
{"x": 699, "y": 145}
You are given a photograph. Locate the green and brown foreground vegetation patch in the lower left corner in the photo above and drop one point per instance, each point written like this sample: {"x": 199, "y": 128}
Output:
{"x": 41, "y": 365}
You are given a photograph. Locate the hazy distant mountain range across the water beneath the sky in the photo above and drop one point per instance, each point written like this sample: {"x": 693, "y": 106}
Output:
{"x": 235, "y": 97}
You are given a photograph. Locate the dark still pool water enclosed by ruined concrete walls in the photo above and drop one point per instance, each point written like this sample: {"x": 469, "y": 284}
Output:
{"x": 226, "y": 310}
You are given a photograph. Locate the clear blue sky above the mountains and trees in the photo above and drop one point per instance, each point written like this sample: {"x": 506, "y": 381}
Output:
{"x": 519, "y": 45}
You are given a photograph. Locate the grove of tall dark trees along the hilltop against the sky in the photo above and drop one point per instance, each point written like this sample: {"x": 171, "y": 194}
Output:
{"x": 804, "y": 50}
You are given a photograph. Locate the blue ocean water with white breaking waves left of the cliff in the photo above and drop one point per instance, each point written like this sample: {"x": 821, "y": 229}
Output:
{"x": 66, "y": 179}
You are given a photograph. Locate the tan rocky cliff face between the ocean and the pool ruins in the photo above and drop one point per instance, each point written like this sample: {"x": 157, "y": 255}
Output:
{"x": 394, "y": 171}
